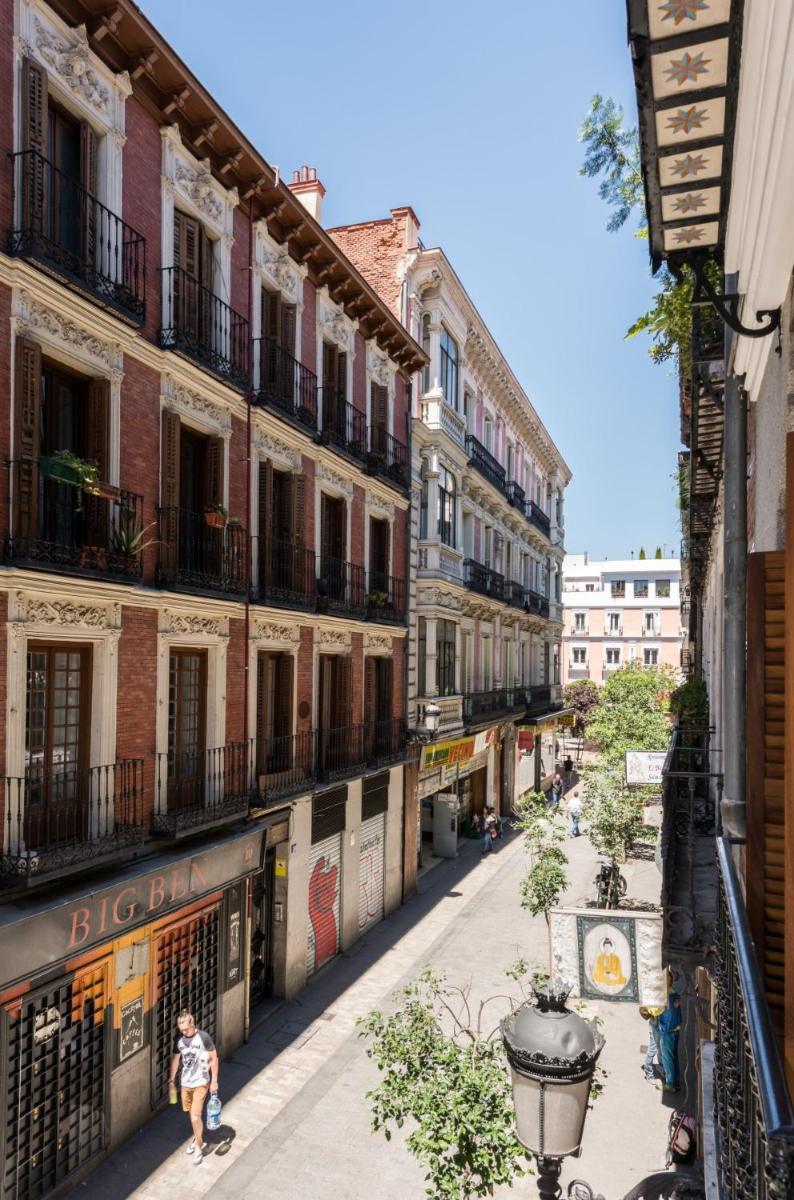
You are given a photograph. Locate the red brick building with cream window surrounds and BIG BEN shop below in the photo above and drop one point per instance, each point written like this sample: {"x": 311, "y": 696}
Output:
{"x": 204, "y": 583}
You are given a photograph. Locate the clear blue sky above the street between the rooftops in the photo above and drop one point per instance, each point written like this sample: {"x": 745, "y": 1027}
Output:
{"x": 474, "y": 124}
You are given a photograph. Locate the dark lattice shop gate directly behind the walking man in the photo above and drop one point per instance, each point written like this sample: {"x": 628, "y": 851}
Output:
{"x": 188, "y": 979}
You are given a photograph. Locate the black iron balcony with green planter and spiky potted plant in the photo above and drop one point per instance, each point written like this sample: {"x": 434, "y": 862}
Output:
{"x": 58, "y": 526}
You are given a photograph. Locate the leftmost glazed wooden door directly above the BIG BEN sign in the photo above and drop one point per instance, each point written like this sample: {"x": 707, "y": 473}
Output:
{"x": 57, "y": 745}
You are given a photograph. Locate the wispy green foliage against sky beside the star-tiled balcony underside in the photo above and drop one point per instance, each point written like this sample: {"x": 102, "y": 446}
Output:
{"x": 613, "y": 152}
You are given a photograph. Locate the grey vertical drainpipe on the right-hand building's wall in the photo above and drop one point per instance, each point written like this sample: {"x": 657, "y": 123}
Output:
{"x": 735, "y": 817}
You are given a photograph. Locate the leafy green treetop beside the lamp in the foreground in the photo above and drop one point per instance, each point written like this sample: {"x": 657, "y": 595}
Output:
{"x": 448, "y": 1081}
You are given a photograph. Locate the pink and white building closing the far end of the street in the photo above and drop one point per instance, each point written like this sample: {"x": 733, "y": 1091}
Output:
{"x": 619, "y": 611}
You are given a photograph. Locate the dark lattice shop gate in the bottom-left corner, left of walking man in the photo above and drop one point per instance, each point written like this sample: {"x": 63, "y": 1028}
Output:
{"x": 56, "y": 1085}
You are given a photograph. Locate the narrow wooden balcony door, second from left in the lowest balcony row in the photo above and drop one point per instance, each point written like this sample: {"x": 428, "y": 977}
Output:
{"x": 187, "y": 729}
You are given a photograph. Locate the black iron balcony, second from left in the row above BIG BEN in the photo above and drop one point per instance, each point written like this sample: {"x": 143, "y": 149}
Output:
{"x": 202, "y": 789}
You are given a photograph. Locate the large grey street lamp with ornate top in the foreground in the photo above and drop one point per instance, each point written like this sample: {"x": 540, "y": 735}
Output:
{"x": 552, "y": 1054}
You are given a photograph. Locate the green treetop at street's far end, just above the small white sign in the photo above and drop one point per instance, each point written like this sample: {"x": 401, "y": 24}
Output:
{"x": 633, "y": 712}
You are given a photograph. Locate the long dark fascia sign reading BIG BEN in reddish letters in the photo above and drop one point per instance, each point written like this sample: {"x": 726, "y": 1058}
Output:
{"x": 74, "y": 926}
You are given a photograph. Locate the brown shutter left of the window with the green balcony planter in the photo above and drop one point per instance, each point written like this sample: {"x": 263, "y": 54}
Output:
{"x": 27, "y": 436}
